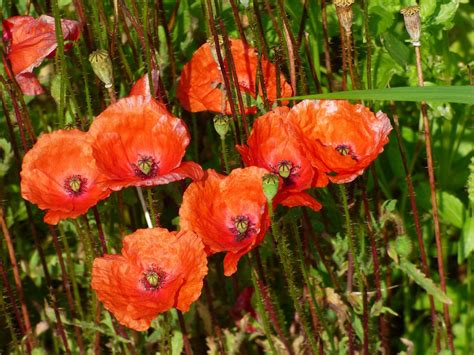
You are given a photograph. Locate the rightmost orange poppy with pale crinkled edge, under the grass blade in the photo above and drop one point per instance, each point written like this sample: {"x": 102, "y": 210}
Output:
{"x": 341, "y": 139}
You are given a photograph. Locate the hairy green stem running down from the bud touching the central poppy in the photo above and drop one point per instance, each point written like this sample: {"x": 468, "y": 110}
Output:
{"x": 284, "y": 254}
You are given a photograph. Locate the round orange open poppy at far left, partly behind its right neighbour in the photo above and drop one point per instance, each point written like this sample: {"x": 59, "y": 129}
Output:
{"x": 59, "y": 174}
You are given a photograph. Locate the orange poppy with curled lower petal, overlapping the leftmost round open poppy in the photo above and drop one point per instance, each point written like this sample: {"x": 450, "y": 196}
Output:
{"x": 137, "y": 142}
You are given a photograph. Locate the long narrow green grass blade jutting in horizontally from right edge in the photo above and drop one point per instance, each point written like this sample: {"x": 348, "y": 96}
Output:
{"x": 456, "y": 94}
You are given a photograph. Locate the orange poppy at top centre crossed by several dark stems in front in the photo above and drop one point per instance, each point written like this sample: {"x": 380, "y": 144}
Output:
{"x": 201, "y": 85}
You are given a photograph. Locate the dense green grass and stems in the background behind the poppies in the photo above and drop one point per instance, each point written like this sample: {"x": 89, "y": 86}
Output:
{"x": 314, "y": 242}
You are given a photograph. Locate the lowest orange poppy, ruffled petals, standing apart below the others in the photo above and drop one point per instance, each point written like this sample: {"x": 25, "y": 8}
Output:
{"x": 156, "y": 271}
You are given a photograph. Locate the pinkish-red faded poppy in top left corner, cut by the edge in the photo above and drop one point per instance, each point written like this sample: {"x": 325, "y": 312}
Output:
{"x": 30, "y": 41}
